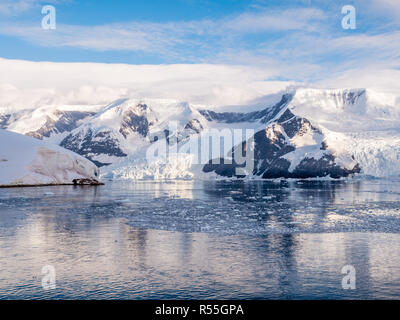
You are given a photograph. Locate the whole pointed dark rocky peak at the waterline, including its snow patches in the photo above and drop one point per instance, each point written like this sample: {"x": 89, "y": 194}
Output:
{"x": 291, "y": 147}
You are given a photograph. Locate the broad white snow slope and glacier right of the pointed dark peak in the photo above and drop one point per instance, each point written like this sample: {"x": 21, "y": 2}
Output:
{"x": 360, "y": 122}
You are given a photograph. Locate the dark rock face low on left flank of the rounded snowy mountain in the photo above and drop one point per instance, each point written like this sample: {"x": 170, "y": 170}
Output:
{"x": 90, "y": 144}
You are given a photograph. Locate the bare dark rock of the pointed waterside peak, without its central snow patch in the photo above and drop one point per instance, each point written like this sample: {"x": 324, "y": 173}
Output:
{"x": 272, "y": 144}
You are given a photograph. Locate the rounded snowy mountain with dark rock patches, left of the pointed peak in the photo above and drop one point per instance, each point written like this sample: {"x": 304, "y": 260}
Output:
{"x": 122, "y": 128}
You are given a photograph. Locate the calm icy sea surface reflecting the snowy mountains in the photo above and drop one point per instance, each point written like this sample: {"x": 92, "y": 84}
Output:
{"x": 203, "y": 240}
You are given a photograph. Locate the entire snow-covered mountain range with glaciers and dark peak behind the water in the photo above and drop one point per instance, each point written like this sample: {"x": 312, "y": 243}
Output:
{"x": 303, "y": 133}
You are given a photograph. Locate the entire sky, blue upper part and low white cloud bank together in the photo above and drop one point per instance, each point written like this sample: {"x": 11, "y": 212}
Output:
{"x": 274, "y": 43}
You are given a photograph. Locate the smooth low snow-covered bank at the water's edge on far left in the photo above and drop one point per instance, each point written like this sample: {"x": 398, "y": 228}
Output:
{"x": 25, "y": 161}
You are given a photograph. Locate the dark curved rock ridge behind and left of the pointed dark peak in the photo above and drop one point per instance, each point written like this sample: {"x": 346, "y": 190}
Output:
{"x": 263, "y": 116}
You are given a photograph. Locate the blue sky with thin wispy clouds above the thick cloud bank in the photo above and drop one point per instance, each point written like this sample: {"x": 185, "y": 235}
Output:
{"x": 303, "y": 37}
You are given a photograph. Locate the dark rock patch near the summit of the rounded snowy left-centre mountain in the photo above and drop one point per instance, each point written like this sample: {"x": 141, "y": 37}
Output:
{"x": 135, "y": 120}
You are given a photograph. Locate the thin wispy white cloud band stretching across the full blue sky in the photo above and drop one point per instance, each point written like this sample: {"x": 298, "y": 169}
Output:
{"x": 305, "y": 38}
